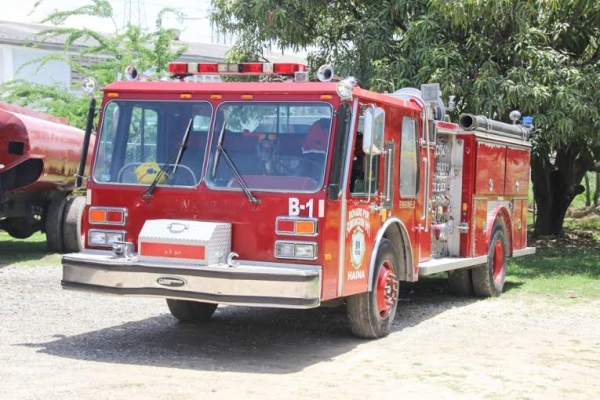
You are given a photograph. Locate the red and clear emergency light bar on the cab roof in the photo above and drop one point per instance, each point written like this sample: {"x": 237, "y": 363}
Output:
{"x": 236, "y": 68}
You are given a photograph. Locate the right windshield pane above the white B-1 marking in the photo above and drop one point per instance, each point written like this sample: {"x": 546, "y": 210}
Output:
{"x": 274, "y": 146}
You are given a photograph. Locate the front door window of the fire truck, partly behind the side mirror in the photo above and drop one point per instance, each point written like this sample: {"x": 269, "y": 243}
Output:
{"x": 365, "y": 167}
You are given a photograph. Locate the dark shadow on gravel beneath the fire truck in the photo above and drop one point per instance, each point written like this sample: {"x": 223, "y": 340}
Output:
{"x": 243, "y": 339}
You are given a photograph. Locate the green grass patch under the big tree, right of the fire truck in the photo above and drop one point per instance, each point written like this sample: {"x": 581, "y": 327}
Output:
{"x": 567, "y": 267}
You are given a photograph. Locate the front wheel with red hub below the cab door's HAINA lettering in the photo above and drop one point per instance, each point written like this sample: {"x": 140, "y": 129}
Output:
{"x": 368, "y": 317}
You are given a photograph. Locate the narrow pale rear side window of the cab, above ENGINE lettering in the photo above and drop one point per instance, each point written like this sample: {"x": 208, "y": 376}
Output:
{"x": 408, "y": 158}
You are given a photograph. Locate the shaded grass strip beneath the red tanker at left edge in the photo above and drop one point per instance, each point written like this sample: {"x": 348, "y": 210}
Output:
{"x": 30, "y": 251}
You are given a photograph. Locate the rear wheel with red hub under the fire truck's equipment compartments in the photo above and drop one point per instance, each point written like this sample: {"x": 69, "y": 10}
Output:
{"x": 488, "y": 280}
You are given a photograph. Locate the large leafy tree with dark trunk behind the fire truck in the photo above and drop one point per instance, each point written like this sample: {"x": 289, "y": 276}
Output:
{"x": 539, "y": 56}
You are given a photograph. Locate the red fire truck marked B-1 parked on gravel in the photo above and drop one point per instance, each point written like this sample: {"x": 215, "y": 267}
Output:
{"x": 295, "y": 194}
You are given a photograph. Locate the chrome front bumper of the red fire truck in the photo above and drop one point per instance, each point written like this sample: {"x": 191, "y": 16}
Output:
{"x": 249, "y": 283}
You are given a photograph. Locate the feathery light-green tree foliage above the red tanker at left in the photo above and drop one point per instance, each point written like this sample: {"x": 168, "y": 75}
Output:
{"x": 148, "y": 51}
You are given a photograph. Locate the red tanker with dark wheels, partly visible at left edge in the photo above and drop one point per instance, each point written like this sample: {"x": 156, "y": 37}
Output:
{"x": 39, "y": 158}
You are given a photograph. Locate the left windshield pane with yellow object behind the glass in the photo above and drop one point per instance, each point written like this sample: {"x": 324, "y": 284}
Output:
{"x": 138, "y": 137}
